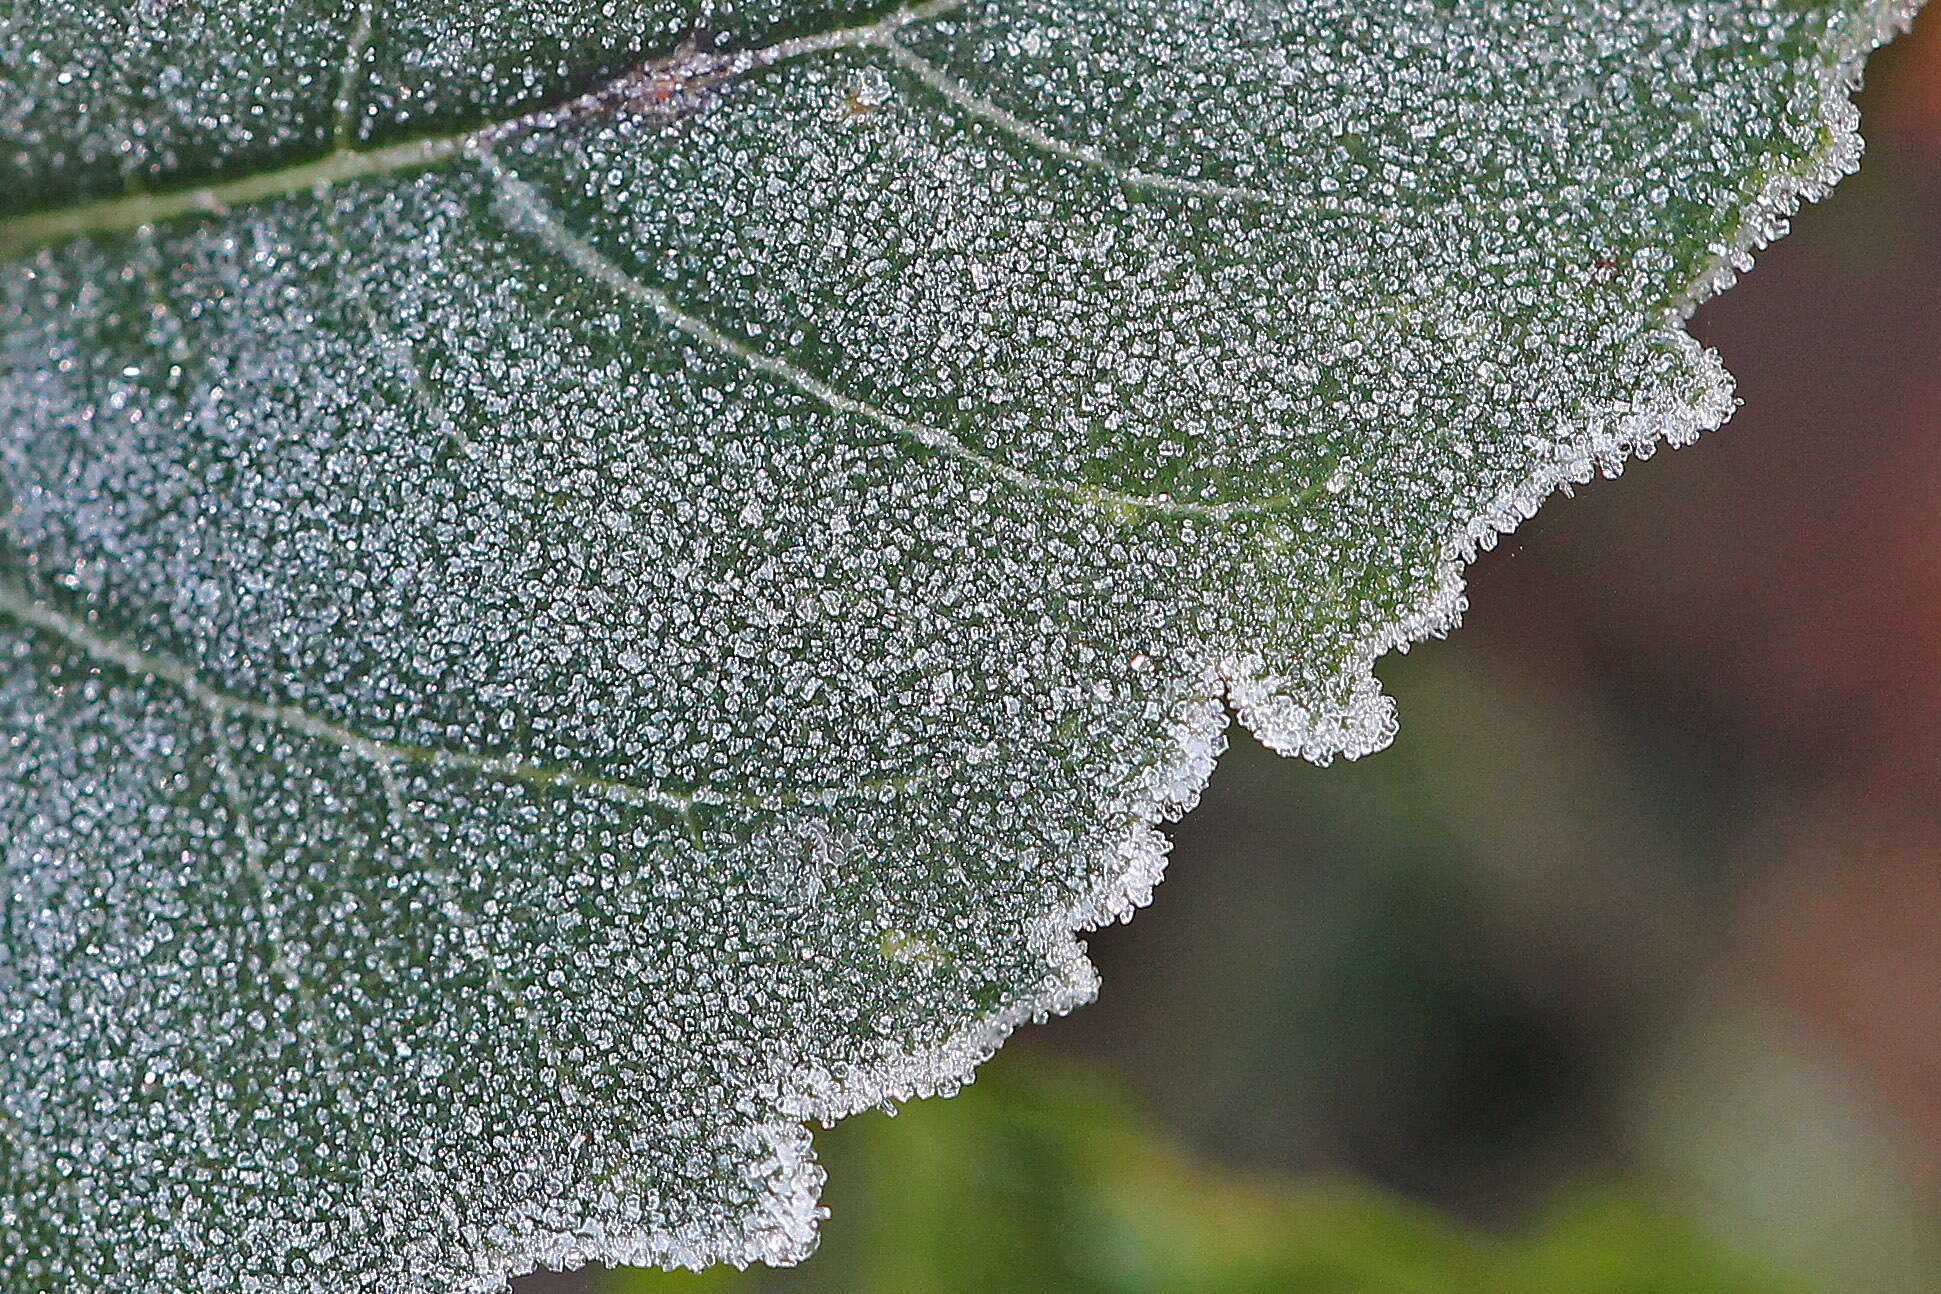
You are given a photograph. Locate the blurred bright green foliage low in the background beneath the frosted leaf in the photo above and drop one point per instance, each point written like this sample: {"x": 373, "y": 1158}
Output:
{"x": 1045, "y": 1179}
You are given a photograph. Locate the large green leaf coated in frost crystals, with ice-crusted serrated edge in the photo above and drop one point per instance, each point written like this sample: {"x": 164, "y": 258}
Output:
{"x": 574, "y": 600}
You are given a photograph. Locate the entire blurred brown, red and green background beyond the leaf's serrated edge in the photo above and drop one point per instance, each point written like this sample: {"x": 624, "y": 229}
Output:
{"x": 1618, "y": 973}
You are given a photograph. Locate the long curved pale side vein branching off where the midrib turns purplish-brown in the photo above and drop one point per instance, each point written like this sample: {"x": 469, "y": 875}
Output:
{"x": 529, "y": 212}
